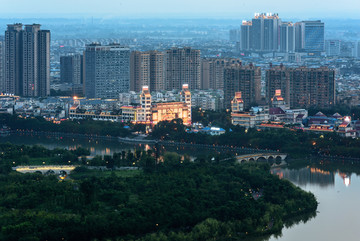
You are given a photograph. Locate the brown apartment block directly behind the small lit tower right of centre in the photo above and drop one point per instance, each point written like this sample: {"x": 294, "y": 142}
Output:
{"x": 244, "y": 79}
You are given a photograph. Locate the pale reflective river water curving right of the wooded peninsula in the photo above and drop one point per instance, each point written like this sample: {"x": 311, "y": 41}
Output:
{"x": 338, "y": 194}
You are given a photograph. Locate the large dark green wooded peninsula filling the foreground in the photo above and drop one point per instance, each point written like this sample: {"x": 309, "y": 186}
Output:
{"x": 172, "y": 200}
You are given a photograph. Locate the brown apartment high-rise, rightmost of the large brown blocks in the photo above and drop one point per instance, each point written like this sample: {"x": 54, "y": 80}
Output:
{"x": 312, "y": 87}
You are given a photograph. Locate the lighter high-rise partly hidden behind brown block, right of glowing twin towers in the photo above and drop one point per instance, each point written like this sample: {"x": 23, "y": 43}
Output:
{"x": 212, "y": 72}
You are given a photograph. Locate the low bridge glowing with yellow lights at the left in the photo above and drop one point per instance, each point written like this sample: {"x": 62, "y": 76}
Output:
{"x": 48, "y": 169}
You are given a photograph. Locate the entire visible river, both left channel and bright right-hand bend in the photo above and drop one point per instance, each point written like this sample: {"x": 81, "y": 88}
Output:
{"x": 338, "y": 192}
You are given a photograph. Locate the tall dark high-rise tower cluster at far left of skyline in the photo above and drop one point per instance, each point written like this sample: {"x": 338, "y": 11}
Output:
{"x": 27, "y": 55}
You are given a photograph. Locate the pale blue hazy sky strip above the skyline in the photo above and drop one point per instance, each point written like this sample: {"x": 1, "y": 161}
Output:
{"x": 179, "y": 8}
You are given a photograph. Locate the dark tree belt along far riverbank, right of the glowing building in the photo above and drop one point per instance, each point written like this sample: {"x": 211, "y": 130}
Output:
{"x": 297, "y": 144}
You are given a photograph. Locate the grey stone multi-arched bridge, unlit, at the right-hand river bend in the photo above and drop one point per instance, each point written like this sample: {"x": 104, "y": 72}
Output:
{"x": 279, "y": 158}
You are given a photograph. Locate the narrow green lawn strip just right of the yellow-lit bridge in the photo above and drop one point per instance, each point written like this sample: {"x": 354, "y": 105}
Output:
{"x": 98, "y": 173}
